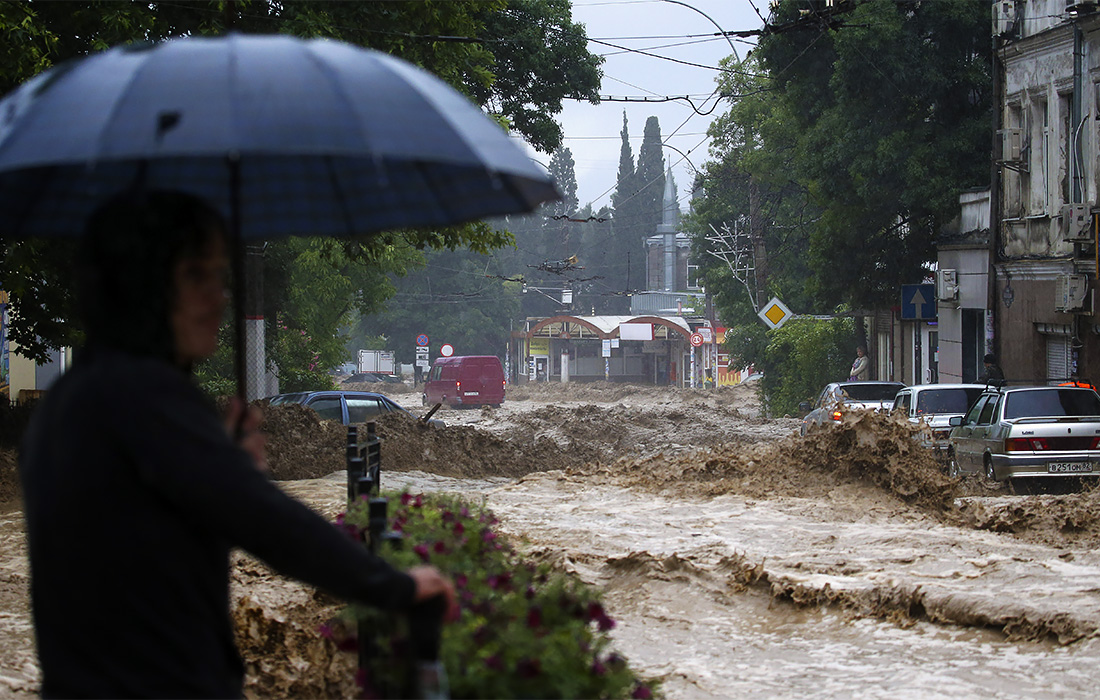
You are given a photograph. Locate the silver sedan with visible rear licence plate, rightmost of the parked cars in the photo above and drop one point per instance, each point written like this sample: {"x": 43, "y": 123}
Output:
{"x": 1028, "y": 433}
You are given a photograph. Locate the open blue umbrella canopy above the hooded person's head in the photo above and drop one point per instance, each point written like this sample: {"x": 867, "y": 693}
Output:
{"x": 288, "y": 137}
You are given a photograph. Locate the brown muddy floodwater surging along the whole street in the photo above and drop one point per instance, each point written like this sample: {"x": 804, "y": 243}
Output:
{"x": 738, "y": 559}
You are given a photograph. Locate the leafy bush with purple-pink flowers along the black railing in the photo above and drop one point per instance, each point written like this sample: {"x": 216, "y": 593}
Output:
{"x": 525, "y": 632}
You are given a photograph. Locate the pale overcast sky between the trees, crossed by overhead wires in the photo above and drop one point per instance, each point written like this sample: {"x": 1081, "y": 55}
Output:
{"x": 667, "y": 29}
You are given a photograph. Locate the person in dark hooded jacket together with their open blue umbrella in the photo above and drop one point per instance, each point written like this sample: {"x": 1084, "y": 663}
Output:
{"x": 131, "y": 513}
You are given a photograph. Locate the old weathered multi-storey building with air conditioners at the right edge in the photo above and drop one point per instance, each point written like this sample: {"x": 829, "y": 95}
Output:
{"x": 1044, "y": 192}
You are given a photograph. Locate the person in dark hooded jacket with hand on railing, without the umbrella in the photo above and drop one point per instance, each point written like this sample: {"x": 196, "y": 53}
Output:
{"x": 136, "y": 491}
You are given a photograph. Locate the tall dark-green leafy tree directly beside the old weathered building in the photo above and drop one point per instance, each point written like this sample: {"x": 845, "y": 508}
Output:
{"x": 892, "y": 108}
